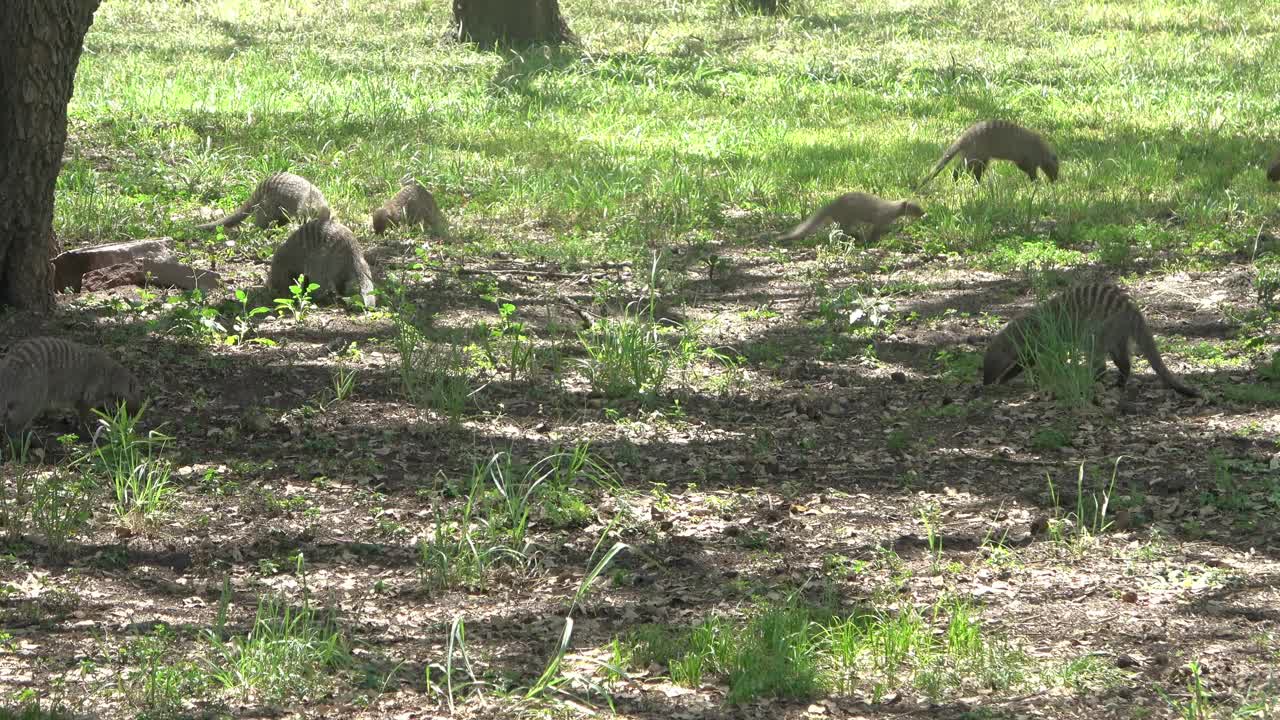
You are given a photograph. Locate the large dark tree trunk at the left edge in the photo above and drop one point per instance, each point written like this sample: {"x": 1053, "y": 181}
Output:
{"x": 40, "y": 48}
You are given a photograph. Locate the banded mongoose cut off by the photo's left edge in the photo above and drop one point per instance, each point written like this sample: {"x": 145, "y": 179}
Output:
{"x": 45, "y": 373}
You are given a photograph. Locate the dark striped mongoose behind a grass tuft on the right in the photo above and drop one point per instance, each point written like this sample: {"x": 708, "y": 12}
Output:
{"x": 1105, "y": 318}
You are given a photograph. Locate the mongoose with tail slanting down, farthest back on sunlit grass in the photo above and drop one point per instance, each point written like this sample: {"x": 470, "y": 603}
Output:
{"x": 1000, "y": 140}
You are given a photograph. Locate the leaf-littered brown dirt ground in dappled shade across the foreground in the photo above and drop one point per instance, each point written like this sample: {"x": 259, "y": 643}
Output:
{"x": 819, "y": 445}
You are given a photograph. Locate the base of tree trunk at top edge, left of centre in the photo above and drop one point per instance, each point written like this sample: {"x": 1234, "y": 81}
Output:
{"x": 510, "y": 22}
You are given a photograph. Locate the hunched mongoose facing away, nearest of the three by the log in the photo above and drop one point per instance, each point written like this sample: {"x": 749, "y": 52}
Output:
{"x": 328, "y": 254}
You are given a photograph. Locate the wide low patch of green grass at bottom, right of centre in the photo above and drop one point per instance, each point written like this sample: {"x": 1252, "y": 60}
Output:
{"x": 792, "y": 651}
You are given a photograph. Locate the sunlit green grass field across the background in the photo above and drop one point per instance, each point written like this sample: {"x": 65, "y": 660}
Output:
{"x": 679, "y": 112}
